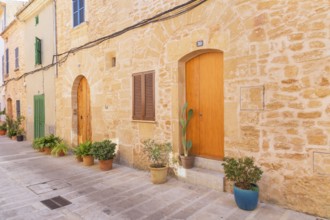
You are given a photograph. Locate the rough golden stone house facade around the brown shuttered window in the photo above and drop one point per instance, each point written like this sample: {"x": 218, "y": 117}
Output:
{"x": 274, "y": 60}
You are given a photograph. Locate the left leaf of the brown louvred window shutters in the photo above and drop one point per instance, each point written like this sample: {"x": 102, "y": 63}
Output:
{"x": 137, "y": 97}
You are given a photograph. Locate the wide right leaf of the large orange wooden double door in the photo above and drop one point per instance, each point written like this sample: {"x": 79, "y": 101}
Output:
{"x": 211, "y": 99}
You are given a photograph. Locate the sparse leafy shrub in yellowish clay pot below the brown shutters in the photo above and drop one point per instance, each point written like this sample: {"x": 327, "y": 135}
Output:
{"x": 158, "y": 155}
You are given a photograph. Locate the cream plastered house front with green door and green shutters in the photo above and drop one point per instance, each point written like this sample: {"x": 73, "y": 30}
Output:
{"x": 38, "y": 19}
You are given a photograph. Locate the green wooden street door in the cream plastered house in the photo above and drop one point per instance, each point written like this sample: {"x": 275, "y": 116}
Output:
{"x": 39, "y": 116}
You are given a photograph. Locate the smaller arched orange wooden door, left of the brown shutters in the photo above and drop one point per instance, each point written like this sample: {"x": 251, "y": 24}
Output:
{"x": 84, "y": 114}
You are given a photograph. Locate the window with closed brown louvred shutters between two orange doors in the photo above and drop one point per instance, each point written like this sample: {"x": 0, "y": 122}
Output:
{"x": 144, "y": 96}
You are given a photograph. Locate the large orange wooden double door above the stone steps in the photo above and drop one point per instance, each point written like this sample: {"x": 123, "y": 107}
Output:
{"x": 204, "y": 94}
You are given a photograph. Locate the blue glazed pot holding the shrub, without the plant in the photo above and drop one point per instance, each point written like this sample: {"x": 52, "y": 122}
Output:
{"x": 246, "y": 199}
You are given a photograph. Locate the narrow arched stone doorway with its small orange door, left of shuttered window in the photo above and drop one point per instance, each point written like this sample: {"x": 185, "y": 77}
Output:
{"x": 81, "y": 110}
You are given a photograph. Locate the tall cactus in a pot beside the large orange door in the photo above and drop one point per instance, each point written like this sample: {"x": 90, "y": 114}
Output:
{"x": 186, "y": 159}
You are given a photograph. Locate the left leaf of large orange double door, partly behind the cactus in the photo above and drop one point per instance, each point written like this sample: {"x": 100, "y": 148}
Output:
{"x": 192, "y": 97}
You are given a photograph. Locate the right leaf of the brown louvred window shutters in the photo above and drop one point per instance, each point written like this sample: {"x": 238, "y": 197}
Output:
{"x": 149, "y": 96}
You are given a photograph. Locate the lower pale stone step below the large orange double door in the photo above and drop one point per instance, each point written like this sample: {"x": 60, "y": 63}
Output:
{"x": 204, "y": 177}
